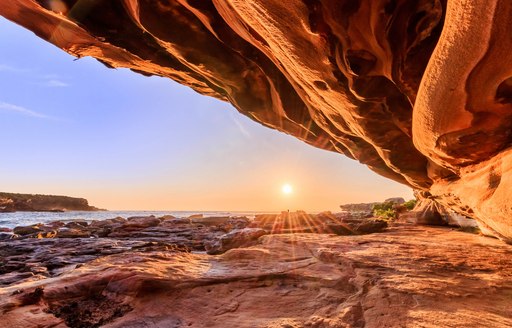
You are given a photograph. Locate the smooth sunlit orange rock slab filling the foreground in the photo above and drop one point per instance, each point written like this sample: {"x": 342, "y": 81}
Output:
{"x": 408, "y": 276}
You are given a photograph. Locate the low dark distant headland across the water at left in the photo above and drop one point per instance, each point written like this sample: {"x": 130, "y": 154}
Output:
{"x": 11, "y": 202}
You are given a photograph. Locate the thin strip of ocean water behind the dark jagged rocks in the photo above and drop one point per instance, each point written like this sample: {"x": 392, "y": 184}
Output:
{"x": 11, "y": 220}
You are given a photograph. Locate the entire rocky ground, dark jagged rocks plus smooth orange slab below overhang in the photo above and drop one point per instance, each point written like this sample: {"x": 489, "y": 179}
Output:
{"x": 284, "y": 270}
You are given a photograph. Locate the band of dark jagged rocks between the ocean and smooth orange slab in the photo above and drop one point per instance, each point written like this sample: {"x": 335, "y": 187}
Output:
{"x": 42, "y": 251}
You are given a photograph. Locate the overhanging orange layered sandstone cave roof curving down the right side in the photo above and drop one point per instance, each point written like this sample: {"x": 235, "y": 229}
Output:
{"x": 419, "y": 91}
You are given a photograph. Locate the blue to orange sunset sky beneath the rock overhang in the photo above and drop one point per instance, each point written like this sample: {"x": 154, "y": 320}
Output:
{"x": 129, "y": 142}
